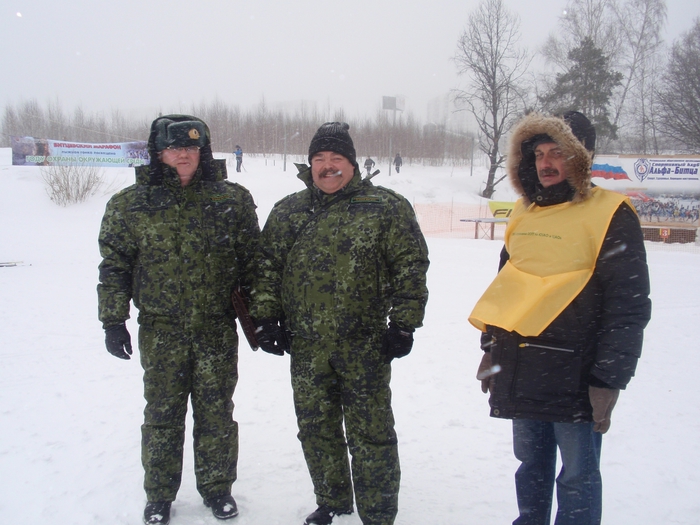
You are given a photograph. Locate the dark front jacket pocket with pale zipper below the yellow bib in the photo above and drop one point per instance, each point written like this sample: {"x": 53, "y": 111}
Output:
{"x": 547, "y": 372}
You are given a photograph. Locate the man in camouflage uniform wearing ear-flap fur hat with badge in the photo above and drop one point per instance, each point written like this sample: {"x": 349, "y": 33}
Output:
{"x": 177, "y": 243}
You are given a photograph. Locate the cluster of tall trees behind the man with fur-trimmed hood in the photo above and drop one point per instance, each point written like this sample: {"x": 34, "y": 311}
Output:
{"x": 605, "y": 58}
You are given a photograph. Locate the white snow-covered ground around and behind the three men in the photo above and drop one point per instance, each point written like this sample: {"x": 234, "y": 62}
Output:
{"x": 70, "y": 412}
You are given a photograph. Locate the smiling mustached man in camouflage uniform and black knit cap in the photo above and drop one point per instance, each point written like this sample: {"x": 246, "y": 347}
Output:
{"x": 338, "y": 259}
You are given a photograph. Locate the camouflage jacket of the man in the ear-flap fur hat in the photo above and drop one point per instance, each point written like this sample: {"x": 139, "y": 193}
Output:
{"x": 176, "y": 251}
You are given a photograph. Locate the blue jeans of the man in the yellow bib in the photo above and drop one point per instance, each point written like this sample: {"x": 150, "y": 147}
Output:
{"x": 579, "y": 487}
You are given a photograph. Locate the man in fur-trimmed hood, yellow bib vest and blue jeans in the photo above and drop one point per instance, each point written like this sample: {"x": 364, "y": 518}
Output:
{"x": 562, "y": 323}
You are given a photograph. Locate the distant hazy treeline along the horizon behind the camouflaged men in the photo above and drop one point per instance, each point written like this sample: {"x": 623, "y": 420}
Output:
{"x": 258, "y": 131}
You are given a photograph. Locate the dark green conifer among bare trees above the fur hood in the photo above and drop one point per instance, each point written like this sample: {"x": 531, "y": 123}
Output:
{"x": 587, "y": 86}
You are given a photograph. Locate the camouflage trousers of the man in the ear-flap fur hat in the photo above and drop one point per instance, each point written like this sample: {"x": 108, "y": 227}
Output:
{"x": 201, "y": 366}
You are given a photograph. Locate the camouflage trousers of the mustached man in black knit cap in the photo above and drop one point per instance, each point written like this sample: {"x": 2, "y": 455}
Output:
{"x": 338, "y": 382}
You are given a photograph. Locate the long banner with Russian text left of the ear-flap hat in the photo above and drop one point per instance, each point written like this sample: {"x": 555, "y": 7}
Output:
{"x": 29, "y": 151}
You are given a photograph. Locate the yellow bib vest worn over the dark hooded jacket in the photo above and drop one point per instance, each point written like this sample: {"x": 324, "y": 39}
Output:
{"x": 553, "y": 252}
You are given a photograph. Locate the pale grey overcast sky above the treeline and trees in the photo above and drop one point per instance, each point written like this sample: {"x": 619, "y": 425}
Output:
{"x": 145, "y": 56}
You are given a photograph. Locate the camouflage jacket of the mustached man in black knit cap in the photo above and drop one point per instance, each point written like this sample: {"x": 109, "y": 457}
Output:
{"x": 339, "y": 264}
